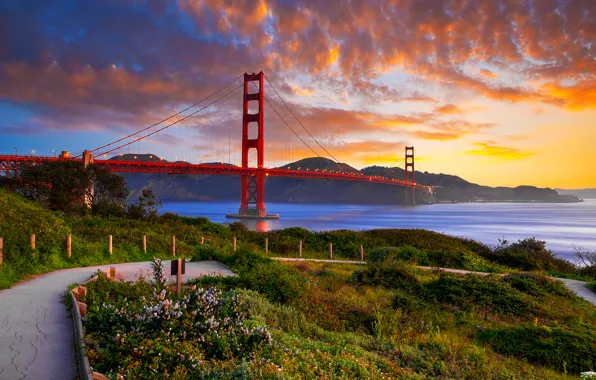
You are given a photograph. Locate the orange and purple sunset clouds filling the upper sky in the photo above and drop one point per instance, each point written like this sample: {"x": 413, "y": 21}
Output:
{"x": 119, "y": 65}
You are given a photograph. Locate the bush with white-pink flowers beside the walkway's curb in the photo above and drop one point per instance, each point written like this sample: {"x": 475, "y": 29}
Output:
{"x": 142, "y": 337}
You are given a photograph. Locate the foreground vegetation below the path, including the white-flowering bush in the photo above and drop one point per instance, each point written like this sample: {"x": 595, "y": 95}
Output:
{"x": 308, "y": 320}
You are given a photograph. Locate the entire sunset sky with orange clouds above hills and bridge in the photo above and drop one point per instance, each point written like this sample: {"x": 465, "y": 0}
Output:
{"x": 499, "y": 92}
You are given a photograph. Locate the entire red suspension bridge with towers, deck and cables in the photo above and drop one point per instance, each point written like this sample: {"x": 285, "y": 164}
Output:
{"x": 252, "y": 199}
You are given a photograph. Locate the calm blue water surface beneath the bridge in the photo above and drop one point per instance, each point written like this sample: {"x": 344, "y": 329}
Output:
{"x": 560, "y": 225}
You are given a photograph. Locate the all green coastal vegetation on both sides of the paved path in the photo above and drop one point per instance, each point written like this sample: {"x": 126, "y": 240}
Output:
{"x": 387, "y": 319}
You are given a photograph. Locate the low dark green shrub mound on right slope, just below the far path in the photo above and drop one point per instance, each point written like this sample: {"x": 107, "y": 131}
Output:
{"x": 472, "y": 290}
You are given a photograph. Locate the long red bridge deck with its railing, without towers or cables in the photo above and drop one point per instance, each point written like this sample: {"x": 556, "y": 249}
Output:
{"x": 9, "y": 163}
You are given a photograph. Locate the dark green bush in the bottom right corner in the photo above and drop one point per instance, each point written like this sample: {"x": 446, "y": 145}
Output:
{"x": 570, "y": 348}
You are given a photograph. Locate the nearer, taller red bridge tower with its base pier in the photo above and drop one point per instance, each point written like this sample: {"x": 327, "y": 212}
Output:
{"x": 252, "y": 195}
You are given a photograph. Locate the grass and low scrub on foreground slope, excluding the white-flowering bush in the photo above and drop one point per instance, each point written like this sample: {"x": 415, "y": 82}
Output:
{"x": 386, "y": 321}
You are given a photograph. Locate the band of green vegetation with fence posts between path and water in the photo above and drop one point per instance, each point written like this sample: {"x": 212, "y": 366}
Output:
{"x": 20, "y": 217}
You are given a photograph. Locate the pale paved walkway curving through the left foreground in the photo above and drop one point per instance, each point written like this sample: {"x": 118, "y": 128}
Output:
{"x": 36, "y": 337}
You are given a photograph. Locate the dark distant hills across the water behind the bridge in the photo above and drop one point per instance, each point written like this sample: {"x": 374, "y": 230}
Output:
{"x": 450, "y": 188}
